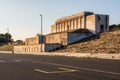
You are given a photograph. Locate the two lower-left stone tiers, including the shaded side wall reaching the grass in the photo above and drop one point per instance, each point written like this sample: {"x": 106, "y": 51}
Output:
{"x": 35, "y": 45}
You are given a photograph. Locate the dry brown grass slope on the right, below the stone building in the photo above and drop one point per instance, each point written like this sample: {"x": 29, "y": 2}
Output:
{"x": 108, "y": 42}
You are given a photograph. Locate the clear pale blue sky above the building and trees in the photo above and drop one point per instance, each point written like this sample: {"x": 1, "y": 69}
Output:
{"x": 22, "y": 17}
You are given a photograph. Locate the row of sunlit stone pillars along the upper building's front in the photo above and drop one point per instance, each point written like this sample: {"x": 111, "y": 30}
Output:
{"x": 70, "y": 24}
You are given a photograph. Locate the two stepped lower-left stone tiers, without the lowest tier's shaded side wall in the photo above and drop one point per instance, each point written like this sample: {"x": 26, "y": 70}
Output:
{"x": 32, "y": 45}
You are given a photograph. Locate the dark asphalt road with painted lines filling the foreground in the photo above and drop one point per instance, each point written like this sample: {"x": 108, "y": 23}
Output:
{"x": 31, "y": 67}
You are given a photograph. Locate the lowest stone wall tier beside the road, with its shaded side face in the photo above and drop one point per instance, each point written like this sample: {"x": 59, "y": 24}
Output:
{"x": 36, "y": 48}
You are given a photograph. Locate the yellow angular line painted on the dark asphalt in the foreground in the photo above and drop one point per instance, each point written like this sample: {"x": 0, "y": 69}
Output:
{"x": 64, "y": 70}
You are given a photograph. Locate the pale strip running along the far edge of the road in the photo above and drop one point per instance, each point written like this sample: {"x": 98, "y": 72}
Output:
{"x": 68, "y": 54}
